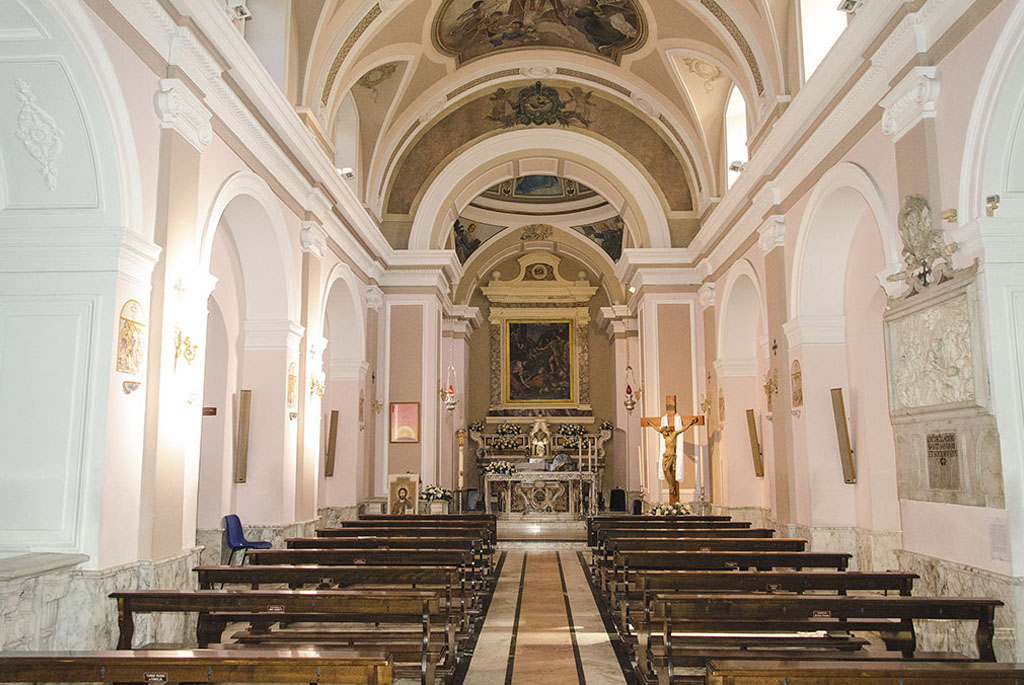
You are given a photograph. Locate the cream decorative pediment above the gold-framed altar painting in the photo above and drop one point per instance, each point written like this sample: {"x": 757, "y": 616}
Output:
{"x": 540, "y": 282}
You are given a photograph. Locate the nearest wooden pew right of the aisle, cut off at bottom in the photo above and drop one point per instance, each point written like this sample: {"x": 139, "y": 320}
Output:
{"x": 862, "y": 673}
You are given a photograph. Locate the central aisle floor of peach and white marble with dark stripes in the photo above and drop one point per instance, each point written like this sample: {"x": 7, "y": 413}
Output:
{"x": 543, "y": 627}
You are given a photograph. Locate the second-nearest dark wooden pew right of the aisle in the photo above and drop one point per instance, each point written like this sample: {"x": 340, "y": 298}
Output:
{"x": 744, "y": 625}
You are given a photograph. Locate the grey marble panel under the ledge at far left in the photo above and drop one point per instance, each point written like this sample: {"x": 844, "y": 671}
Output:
{"x": 32, "y": 589}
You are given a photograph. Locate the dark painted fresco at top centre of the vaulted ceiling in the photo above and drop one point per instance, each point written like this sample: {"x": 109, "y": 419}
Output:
{"x": 472, "y": 29}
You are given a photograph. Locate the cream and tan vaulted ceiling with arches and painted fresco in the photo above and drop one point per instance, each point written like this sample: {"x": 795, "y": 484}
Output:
{"x": 403, "y": 91}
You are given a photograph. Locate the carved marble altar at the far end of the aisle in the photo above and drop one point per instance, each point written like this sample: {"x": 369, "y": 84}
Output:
{"x": 550, "y": 495}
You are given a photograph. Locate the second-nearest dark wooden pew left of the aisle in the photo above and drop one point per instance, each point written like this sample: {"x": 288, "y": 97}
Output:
{"x": 264, "y": 609}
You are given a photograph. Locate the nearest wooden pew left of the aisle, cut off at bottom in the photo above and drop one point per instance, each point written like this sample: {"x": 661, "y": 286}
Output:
{"x": 365, "y": 665}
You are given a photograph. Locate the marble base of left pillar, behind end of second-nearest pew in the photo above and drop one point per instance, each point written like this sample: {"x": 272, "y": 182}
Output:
{"x": 88, "y": 619}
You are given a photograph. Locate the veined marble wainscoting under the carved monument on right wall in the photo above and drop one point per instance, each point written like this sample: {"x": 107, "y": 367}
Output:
{"x": 947, "y": 579}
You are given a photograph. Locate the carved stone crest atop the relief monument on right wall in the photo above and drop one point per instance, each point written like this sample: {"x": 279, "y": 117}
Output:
{"x": 926, "y": 254}
